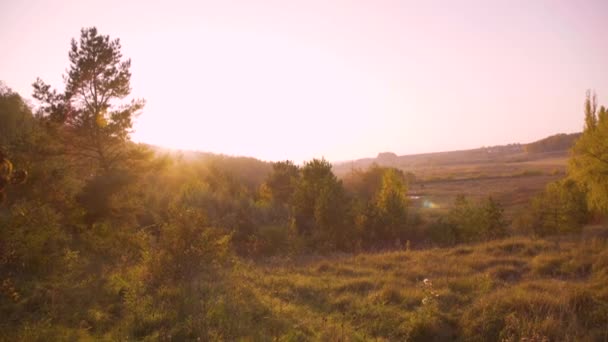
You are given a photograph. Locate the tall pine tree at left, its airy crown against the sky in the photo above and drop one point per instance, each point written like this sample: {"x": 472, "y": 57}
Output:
{"x": 91, "y": 121}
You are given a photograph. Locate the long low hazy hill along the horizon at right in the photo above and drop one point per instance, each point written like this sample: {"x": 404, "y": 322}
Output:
{"x": 550, "y": 147}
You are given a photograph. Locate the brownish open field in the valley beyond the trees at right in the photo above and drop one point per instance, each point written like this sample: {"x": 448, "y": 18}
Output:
{"x": 510, "y": 175}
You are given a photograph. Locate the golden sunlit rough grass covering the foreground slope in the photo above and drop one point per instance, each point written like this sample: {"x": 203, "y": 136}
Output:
{"x": 506, "y": 290}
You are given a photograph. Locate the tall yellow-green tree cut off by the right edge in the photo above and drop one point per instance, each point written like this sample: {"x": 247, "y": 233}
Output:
{"x": 589, "y": 162}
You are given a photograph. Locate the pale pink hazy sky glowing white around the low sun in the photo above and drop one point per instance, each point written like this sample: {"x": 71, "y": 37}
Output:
{"x": 341, "y": 79}
